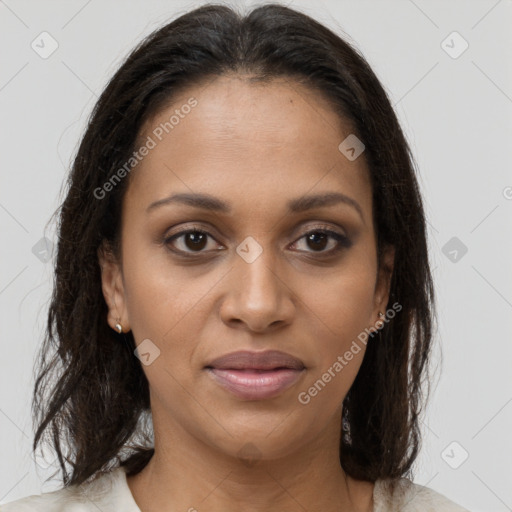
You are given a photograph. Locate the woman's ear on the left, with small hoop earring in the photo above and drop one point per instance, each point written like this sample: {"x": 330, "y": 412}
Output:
{"x": 113, "y": 288}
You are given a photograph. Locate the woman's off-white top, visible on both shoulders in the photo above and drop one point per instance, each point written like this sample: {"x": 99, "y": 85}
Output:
{"x": 110, "y": 493}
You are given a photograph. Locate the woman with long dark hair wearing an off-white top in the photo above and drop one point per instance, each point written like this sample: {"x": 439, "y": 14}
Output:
{"x": 243, "y": 305}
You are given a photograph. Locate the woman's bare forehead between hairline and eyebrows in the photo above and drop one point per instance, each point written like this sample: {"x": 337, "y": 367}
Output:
{"x": 234, "y": 138}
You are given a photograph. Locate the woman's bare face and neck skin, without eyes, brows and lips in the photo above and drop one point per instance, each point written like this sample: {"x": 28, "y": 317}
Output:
{"x": 255, "y": 146}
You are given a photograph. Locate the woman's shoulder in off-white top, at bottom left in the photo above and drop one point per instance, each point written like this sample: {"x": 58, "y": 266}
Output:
{"x": 105, "y": 492}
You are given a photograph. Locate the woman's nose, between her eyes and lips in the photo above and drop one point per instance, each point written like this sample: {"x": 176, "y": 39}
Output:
{"x": 257, "y": 297}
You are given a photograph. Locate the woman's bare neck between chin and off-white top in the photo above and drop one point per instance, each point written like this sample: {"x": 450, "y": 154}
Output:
{"x": 193, "y": 476}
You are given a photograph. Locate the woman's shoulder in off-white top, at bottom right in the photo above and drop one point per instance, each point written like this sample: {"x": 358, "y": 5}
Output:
{"x": 410, "y": 497}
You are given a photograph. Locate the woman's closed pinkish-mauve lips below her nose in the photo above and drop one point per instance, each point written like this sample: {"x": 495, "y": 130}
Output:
{"x": 256, "y": 375}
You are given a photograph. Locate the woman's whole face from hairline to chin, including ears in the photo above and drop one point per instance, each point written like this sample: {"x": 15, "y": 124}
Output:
{"x": 254, "y": 266}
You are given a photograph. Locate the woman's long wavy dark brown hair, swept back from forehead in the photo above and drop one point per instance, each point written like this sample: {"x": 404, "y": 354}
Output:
{"x": 91, "y": 397}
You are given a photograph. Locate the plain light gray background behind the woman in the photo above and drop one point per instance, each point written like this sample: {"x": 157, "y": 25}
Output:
{"x": 457, "y": 115}
